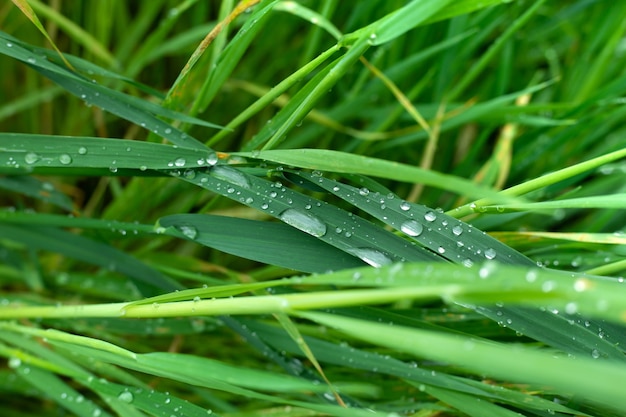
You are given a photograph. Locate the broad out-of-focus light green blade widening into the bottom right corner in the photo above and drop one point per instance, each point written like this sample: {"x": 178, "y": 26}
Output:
{"x": 492, "y": 359}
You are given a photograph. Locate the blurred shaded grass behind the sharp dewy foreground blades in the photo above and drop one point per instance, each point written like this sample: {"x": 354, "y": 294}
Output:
{"x": 464, "y": 76}
